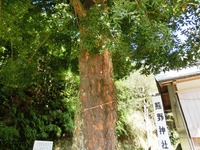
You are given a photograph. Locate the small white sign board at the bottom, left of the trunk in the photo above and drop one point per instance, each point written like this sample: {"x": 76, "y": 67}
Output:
{"x": 43, "y": 145}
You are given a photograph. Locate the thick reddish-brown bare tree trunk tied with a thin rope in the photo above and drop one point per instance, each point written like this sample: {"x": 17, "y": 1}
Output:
{"x": 96, "y": 116}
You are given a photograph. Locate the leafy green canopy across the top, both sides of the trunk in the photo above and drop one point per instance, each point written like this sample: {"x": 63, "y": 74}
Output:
{"x": 138, "y": 31}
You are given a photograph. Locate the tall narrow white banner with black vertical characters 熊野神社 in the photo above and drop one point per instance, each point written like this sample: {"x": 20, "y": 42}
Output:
{"x": 162, "y": 130}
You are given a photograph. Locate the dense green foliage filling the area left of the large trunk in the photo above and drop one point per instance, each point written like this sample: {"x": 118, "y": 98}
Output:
{"x": 38, "y": 90}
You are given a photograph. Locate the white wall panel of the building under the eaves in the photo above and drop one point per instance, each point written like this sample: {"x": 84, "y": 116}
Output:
{"x": 189, "y": 97}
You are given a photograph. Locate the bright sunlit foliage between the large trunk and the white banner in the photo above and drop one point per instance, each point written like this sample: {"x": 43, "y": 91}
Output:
{"x": 134, "y": 95}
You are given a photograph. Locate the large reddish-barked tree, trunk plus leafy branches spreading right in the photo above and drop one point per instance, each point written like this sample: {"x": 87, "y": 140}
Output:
{"x": 140, "y": 27}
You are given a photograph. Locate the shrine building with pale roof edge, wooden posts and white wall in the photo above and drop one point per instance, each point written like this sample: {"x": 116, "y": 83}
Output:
{"x": 180, "y": 94}
